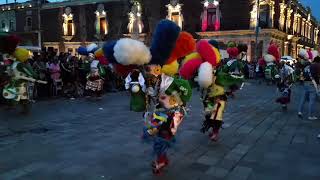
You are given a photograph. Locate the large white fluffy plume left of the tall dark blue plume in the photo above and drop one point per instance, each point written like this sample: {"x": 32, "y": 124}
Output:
{"x": 131, "y": 52}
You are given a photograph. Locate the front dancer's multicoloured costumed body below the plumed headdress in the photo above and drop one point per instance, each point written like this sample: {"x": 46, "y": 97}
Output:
{"x": 163, "y": 123}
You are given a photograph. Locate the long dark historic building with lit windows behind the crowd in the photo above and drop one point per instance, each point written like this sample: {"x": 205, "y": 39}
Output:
{"x": 67, "y": 25}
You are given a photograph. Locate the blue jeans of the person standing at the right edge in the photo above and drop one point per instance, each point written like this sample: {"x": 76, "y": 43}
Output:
{"x": 309, "y": 93}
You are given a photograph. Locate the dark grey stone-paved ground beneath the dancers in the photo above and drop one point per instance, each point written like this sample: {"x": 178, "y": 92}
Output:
{"x": 83, "y": 139}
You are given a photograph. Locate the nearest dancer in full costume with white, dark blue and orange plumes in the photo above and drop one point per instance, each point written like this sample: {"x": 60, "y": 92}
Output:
{"x": 167, "y": 94}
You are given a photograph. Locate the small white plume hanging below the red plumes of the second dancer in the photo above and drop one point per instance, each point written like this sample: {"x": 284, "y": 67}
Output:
{"x": 205, "y": 75}
